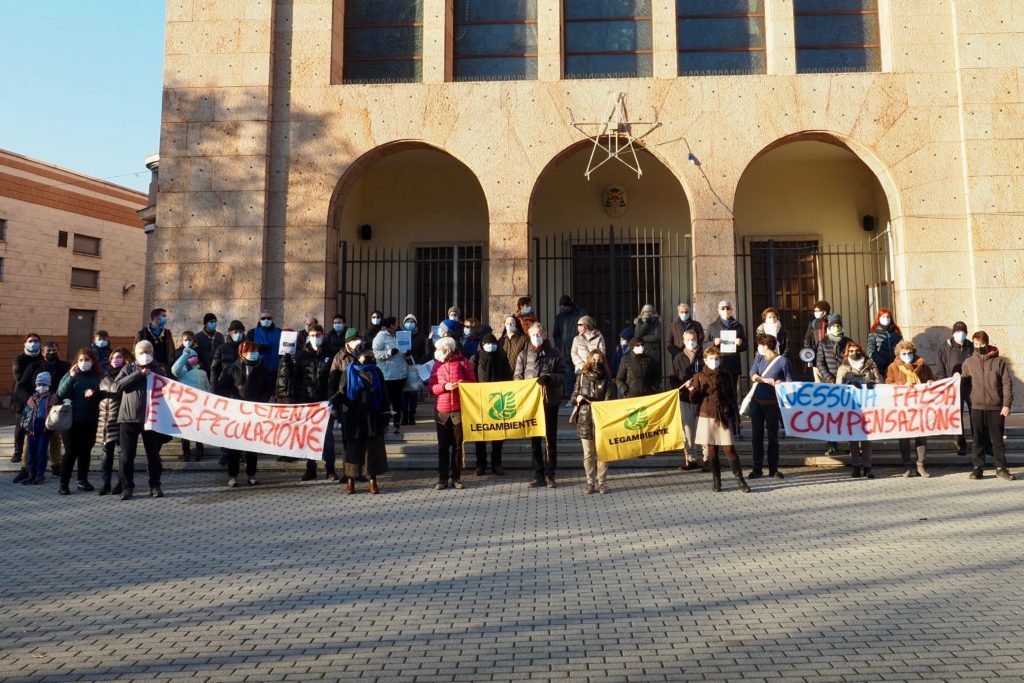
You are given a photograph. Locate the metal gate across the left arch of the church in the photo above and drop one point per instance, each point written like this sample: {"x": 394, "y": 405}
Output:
{"x": 420, "y": 280}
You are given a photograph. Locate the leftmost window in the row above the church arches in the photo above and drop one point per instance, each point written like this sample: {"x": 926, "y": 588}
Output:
{"x": 383, "y": 41}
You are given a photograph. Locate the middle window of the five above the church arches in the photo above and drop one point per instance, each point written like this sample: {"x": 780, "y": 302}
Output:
{"x": 608, "y": 38}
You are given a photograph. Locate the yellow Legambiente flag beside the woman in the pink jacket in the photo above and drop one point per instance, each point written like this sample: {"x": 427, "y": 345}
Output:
{"x": 498, "y": 411}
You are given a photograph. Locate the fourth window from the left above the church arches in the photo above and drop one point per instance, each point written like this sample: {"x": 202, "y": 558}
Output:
{"x": 721, "y": 37}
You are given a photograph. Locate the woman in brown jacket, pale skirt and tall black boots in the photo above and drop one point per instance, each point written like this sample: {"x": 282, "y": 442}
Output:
{"x": 715, "y": 392}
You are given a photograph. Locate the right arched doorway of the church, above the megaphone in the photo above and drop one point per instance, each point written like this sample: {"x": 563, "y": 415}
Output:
{"x": 813, "y": 223}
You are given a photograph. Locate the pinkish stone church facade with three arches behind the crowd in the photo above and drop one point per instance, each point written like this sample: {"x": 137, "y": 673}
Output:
{"x": 278, "y": 151}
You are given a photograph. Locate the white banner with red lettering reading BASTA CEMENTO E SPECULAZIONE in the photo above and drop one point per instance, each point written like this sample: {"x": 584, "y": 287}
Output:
{"x": 277, "y": 430}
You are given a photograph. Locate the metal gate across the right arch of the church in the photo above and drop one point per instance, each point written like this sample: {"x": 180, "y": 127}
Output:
{"x": 791, "y": 275}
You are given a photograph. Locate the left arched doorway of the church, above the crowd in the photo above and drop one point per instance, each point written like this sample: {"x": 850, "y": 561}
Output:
{"x": 412, "y": 224}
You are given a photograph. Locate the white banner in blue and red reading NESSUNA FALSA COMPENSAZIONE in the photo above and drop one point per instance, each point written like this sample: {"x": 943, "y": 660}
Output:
{"x": 849, "y": 413}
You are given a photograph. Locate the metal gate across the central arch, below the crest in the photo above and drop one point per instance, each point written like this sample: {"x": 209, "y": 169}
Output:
{"x": 612, "y": 273}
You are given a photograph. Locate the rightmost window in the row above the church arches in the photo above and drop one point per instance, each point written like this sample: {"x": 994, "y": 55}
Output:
{"x": 838, "y": 36}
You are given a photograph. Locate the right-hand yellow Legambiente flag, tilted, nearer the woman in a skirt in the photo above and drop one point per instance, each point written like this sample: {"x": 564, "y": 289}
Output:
{"x": 633, "y": 428}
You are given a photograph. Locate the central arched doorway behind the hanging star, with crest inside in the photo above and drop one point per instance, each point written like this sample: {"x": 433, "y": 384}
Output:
{"x": 611, "y": 260}
